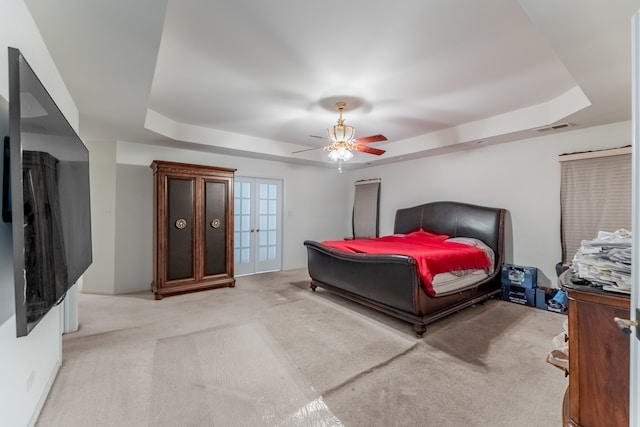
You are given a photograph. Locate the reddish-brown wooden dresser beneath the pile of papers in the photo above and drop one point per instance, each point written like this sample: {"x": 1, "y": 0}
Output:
{"x": 598, "y": 392}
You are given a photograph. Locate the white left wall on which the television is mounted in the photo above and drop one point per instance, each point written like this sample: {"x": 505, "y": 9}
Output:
{"x": 29, "y": 364}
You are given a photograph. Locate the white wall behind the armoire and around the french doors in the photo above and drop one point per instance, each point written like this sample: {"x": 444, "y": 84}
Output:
{"x": 315, "y": 207}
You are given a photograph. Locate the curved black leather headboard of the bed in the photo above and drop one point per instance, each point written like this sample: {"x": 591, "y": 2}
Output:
{"x": 456, "y": 220}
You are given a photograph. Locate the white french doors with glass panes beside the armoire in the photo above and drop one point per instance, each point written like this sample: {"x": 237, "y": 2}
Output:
{"x": 257, "y": 236}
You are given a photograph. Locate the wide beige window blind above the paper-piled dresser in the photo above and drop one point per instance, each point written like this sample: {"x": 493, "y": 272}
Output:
{"x": 595, "y": 195}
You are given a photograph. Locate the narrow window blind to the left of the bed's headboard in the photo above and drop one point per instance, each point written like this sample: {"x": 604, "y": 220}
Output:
{"x": 365, "y": 208}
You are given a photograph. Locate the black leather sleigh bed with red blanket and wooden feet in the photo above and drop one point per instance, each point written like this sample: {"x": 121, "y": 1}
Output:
{"x": 407, "y": 284}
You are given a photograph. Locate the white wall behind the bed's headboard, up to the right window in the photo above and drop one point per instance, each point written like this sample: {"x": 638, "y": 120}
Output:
{"x": 521, "y": 176}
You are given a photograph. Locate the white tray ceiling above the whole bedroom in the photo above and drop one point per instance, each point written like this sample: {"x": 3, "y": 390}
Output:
{"x": 261, "y": 79}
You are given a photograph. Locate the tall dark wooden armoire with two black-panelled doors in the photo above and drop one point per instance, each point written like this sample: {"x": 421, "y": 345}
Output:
{"x": 193, "y": 228}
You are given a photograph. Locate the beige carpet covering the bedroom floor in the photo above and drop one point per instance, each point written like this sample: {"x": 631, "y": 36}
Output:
{"x": 269, "y": 352}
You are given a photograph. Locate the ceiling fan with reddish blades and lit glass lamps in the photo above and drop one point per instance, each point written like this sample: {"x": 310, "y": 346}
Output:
{"x": 343, "y": 142}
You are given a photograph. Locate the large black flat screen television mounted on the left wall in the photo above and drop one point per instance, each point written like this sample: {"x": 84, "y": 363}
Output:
{"x": 49, "y": 204}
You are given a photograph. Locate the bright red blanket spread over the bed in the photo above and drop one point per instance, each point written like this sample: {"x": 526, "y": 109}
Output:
{"x": 432, "y": 253}
